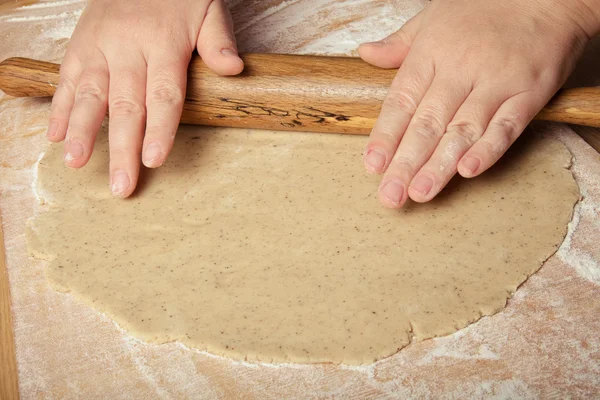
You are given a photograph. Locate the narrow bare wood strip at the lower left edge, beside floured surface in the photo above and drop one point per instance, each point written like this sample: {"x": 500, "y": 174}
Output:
{"x": 9, "y": 388}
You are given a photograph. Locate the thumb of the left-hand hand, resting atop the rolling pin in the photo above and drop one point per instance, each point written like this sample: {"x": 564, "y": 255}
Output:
{"x": 216, "y": 41}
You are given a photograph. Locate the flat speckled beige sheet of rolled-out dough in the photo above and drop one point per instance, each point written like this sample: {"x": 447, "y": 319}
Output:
{"x": 272, "y": 246}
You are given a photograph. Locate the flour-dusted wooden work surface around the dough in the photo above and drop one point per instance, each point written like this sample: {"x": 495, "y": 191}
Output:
{"x": 543, "y": 344}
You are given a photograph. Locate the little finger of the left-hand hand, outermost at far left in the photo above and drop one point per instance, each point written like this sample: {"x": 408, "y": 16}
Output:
{"x": 63, "y": 99}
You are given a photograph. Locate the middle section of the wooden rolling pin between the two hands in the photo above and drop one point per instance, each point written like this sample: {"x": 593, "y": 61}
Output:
{"x": 285, "y": 92}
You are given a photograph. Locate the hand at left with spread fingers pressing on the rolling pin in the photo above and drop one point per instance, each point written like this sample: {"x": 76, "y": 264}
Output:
{"x": 132, "y": 58}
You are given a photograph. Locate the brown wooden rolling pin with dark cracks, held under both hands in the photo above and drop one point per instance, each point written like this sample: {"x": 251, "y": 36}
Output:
{"x": 289, "y": 92}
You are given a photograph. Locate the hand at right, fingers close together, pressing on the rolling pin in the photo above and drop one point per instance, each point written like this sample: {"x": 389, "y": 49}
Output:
{"x": 472, "y": 76}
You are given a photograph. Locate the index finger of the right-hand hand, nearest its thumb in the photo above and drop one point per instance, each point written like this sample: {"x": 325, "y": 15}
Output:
{"x": 406, "y": 92}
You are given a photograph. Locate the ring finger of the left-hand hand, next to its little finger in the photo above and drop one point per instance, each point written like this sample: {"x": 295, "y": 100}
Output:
{"x": 88, "y": 112}
